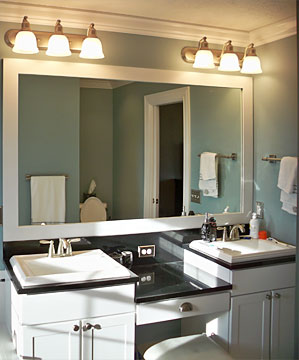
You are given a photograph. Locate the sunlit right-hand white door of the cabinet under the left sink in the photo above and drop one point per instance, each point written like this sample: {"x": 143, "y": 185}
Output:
{"x": 114, "y": 340}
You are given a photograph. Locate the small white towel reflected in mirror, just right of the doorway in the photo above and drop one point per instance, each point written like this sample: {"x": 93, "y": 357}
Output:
{"x": 208, "y": 174}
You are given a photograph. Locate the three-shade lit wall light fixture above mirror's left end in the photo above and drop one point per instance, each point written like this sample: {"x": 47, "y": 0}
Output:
{"x": 55, "y": 44}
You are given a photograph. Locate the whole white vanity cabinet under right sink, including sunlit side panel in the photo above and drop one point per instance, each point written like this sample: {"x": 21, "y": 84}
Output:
{"x": 261, "y": 324}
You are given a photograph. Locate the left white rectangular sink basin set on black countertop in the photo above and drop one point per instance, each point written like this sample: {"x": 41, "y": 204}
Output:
{"x": 39, "y": 269}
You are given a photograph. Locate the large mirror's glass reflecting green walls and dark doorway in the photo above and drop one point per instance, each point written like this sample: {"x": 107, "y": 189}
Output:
{"x": 93, "y": 132}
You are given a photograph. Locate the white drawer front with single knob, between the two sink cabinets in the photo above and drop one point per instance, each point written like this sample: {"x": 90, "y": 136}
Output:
{"x": 170, "y": 309}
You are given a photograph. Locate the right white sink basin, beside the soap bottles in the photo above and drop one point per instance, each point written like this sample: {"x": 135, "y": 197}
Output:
{"x": 243, "y": 250}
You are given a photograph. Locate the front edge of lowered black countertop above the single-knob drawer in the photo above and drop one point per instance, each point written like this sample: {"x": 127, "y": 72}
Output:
{"x": 168, "y": 296}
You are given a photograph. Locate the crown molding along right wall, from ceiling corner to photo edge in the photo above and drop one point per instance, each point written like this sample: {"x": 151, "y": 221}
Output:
{"x": 274, "y": 32}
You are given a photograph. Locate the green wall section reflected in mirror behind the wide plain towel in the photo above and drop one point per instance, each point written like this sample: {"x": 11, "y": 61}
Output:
{"x": 49, "y": 109}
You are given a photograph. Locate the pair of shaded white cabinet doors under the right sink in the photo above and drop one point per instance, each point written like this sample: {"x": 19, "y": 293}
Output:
{"x": 262, "y": 325}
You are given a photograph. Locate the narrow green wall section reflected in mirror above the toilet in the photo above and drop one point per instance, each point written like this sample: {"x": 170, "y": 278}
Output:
{"x": 96, "y": 139}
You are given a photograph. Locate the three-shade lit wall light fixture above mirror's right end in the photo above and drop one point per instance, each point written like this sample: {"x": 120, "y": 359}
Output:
{"x": 226, "y": 59}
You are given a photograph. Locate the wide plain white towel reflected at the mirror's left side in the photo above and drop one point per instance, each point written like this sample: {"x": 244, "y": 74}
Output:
{"x": 47, "y": 199}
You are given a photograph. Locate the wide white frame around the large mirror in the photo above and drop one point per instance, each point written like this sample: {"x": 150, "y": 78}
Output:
{"x": 12, "y": 68}
